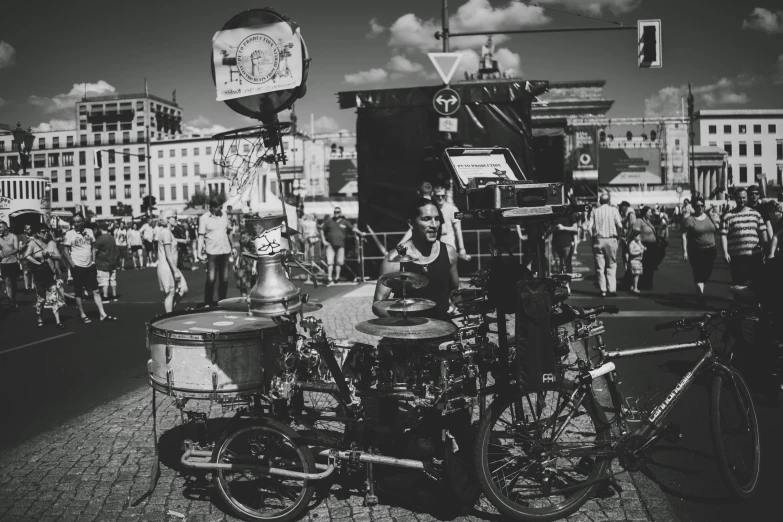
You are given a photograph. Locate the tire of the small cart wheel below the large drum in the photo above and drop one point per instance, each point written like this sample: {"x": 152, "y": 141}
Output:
{"x": 294, "y": 450}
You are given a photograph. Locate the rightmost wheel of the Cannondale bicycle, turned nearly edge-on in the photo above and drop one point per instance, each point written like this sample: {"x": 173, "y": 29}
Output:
{"x": 735, "y": 433}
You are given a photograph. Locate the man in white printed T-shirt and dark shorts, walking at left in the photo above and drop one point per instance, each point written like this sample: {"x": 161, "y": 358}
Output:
{"x": 79, "y": 253}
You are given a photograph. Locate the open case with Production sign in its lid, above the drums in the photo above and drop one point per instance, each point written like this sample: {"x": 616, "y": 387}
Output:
{"x": 492, "y": 180}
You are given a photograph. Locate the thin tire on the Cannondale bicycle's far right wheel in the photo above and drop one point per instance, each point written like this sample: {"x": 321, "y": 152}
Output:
{"x": 743, "y": 486}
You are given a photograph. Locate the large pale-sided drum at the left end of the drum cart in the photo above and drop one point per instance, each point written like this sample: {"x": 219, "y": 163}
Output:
{"x": 213, "y": 354}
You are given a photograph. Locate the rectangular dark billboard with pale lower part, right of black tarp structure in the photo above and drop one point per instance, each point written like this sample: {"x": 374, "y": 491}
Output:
{"x": 632, "y": 166}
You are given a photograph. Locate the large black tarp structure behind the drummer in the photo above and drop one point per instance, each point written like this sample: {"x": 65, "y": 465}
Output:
{"x": 398, "y": 141}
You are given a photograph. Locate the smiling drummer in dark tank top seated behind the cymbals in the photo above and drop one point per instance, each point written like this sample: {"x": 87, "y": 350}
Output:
{"x": 435, "y": 260}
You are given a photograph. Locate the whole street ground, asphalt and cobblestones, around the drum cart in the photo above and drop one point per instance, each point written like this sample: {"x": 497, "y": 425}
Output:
{"x": 78, "y": 446}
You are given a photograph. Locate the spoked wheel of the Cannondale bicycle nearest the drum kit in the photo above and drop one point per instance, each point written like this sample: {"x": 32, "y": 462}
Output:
{"x": 528, "y": 471}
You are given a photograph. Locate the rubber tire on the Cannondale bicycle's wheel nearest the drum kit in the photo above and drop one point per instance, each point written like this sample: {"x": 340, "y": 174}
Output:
{"x": 525, "y": 513}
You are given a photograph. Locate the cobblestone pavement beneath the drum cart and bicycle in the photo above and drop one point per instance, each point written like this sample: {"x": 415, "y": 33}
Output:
{"x": 98, "y": 466}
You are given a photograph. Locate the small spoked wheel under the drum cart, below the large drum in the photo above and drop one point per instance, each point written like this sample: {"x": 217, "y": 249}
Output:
{"x": 254, "y": 496}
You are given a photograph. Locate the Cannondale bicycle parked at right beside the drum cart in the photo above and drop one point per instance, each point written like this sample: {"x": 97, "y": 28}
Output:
{"x": 540, "y": 456}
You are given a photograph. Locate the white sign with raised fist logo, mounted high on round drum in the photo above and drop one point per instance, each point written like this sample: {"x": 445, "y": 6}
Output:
{"x": 256, "y": 60}
